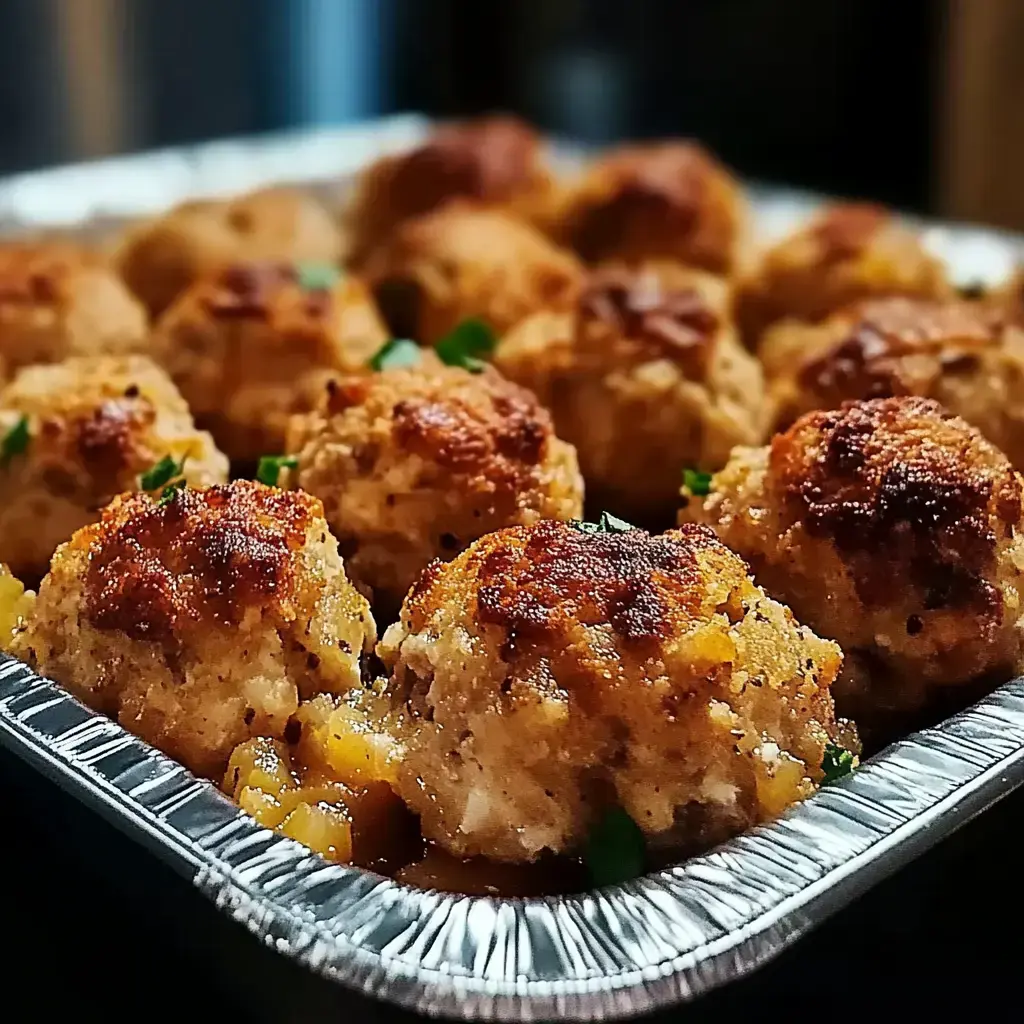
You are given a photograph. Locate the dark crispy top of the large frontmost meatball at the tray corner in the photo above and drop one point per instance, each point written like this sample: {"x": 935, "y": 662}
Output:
{"x": 537, "y": 582}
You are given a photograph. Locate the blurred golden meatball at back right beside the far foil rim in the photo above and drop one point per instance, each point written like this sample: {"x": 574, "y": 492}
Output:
{"x": 850, "y": 251}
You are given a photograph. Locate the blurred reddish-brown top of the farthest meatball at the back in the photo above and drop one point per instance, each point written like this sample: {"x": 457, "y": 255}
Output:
{"x": 488, "y": 159}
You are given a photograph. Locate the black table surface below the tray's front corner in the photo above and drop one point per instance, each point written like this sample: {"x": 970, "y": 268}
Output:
{"x": 116, "y": 933}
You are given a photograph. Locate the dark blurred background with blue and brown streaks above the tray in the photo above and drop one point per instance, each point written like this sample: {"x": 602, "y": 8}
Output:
{"x": 886, "y": 99}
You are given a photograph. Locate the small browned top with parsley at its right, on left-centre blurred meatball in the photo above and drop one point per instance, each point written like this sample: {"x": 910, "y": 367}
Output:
{"x": 252, "y": 291}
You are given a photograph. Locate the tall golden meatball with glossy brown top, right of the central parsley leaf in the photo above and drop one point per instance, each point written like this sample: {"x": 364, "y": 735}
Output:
{"x": 646, "y": 378}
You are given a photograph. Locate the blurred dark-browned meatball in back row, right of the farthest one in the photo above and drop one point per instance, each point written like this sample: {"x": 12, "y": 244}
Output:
{"x": 670, "y": 201}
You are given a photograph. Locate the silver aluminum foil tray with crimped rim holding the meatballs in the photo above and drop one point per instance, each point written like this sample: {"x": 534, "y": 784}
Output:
{"x": 664, "y": 938}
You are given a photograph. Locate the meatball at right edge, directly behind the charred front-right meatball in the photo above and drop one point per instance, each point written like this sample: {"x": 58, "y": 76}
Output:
{"x": 956, "y": 353}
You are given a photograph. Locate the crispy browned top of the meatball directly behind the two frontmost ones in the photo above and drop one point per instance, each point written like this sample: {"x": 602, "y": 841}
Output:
{"x": 470, "y": 424}
